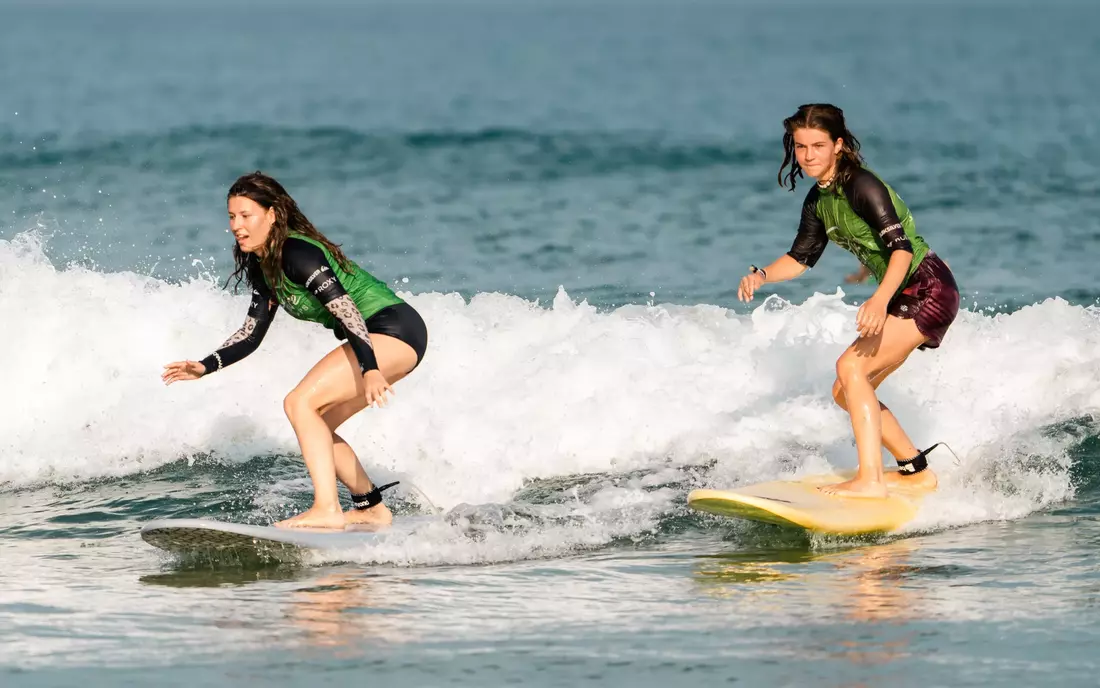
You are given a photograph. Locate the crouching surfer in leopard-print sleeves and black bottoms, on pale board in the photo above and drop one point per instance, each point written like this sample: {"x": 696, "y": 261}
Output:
{"x": 288, "y": 263}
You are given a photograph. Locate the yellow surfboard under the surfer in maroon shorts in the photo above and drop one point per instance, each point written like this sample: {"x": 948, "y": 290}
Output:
{"x": 801, "y": 505}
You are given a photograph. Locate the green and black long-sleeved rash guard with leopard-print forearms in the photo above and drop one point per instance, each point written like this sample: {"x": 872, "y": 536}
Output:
{"x": 313, "y": 290}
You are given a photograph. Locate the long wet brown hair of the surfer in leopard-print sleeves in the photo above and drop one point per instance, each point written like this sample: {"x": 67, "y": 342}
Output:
{"x": 289, "y": 220}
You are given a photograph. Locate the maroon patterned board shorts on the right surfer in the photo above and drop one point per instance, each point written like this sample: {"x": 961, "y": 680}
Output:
{"x": 931, "y": 298}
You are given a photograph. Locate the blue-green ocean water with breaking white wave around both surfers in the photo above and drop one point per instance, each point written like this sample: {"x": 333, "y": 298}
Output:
{"x": 569, "y": 194}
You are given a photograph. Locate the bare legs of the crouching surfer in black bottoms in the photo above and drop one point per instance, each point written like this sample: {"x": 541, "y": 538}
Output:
{"x": 336, "y": 386}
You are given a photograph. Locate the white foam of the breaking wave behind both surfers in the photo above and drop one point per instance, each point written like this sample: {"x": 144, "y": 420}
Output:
{"x": 514, "y": 391}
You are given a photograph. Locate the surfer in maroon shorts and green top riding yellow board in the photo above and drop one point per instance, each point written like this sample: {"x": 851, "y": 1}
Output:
{"x": 916, "y": 301}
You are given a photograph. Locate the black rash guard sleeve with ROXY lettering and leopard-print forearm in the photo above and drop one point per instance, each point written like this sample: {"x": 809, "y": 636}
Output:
{"x": 306, "y": 266}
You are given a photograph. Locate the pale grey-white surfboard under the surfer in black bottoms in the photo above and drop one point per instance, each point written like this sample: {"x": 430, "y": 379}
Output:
{"x": 211, "y": 537}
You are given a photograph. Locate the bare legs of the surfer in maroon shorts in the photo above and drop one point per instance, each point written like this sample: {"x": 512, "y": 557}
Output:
{"x": 857, "y": 367}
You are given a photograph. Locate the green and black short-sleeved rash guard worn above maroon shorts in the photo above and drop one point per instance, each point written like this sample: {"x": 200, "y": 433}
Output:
{"x": 866, "y": 219}
